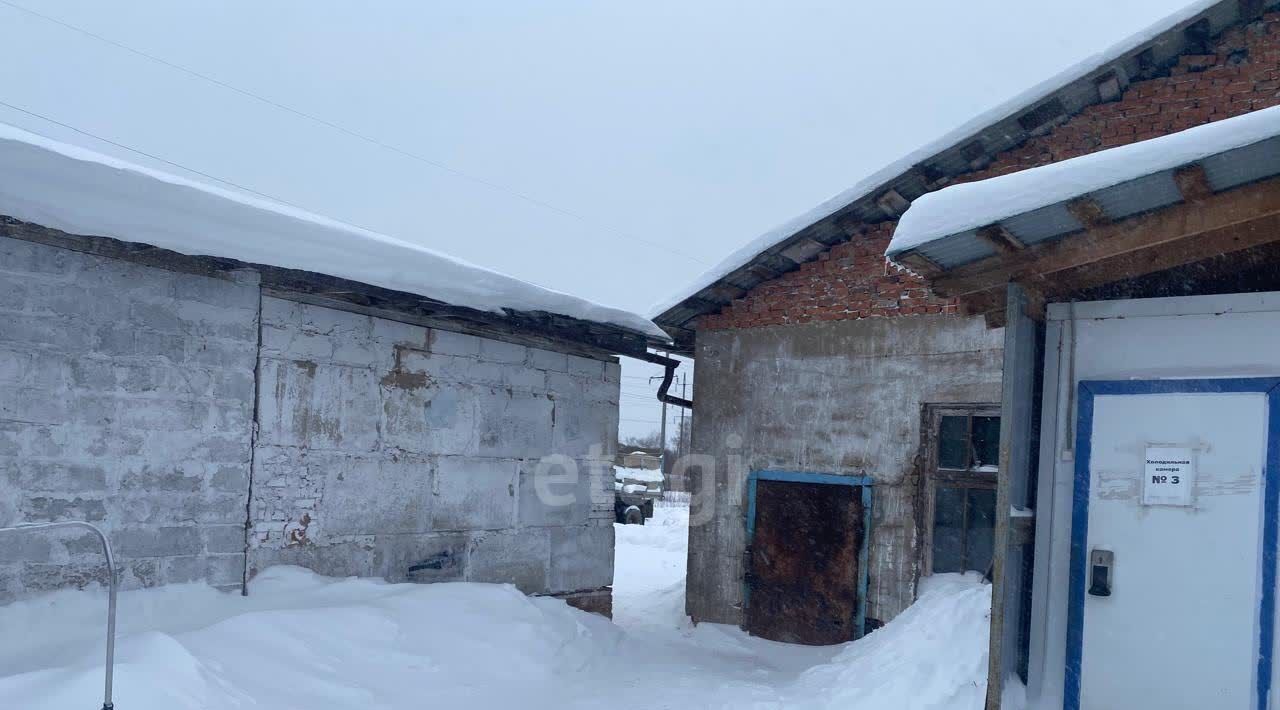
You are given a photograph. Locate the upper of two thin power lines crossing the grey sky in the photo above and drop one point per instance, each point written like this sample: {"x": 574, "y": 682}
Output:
{"x": 349, "y": 132}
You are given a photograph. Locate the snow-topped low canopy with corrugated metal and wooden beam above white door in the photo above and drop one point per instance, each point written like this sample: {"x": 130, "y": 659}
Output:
{"x": 1103, "y": 218}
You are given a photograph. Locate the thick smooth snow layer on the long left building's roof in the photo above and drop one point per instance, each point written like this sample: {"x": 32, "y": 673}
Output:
{"x": 84, "y": 193}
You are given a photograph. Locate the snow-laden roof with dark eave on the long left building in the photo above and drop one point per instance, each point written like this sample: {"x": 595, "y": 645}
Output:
{"x": 77, "y": 199}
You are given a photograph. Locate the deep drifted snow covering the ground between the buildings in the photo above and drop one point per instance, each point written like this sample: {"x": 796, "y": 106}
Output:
{"x": 303, "y": 642}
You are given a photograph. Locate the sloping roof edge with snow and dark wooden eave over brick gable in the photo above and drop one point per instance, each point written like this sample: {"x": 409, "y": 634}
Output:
{"x": 889, "y": 193}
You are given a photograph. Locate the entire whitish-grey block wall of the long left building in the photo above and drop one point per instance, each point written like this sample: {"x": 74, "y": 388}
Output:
{"x": 129, "y": 397}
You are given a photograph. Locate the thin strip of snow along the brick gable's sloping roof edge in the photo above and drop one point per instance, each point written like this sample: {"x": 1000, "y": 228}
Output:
{"x": 868, "y": 189}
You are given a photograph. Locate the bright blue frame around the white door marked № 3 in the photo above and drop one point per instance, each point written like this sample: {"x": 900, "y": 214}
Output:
{"x": 1089, "y": 391}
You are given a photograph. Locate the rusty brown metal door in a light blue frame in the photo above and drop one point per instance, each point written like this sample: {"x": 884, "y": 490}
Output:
{"x": 807, "y": 557}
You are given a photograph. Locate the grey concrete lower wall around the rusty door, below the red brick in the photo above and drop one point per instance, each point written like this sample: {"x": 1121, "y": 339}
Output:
{"x": 840, "y": 398}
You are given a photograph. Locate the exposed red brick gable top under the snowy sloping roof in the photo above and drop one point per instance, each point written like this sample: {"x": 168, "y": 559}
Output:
{"x": 852, "y": 281}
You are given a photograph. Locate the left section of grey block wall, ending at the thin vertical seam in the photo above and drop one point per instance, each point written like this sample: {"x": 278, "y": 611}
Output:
{"x": 126, "y": 400}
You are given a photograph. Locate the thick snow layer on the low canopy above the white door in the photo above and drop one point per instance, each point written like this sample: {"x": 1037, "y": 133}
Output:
{"x": 966, "y": 208}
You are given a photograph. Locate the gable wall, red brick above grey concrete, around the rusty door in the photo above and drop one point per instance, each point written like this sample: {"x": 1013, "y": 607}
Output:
{"x": 857, "y": 416}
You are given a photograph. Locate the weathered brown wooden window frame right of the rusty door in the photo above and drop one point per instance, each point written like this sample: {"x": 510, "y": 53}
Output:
{"x": 934, "y": 475}
